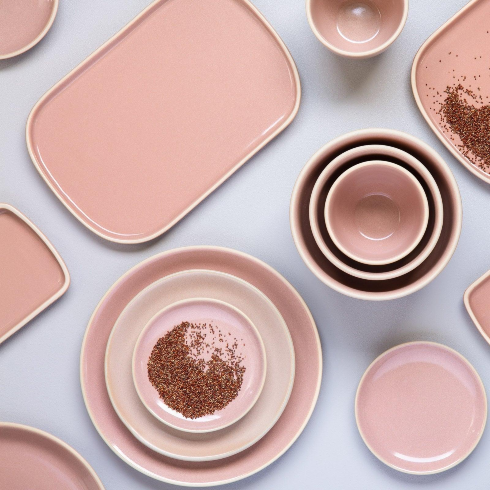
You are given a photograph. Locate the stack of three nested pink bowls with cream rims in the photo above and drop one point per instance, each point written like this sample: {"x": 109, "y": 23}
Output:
{"x": 376, "y": 214}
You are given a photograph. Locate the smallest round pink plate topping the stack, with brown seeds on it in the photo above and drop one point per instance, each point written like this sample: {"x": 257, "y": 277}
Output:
{"x": 199, "y": 365}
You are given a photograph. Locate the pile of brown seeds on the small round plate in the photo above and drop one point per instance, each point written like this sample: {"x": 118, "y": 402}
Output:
{"x": 195, "y": 370}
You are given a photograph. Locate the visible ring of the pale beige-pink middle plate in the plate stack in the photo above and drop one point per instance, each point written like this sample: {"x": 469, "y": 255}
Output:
{"x": 238, "y": 436}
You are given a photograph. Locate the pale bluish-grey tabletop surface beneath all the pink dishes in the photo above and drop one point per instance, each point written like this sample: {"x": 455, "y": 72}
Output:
{"x": 39, "y": 366}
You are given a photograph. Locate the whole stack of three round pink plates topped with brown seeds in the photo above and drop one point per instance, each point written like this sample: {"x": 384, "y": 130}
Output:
{"x": 201, "y": 366}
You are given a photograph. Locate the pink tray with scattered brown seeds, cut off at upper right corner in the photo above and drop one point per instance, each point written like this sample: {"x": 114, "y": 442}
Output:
{"x": 451, "y": 85}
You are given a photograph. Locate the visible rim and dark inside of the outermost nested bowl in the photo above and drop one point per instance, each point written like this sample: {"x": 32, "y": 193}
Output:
{"x": 361, "y": 288}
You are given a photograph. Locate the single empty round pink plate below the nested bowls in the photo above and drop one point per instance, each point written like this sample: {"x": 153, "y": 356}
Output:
{"x": 421, "y": 408}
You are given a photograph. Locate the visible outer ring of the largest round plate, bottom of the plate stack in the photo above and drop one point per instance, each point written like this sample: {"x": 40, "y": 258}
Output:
{"x": 286, "y": 430}
